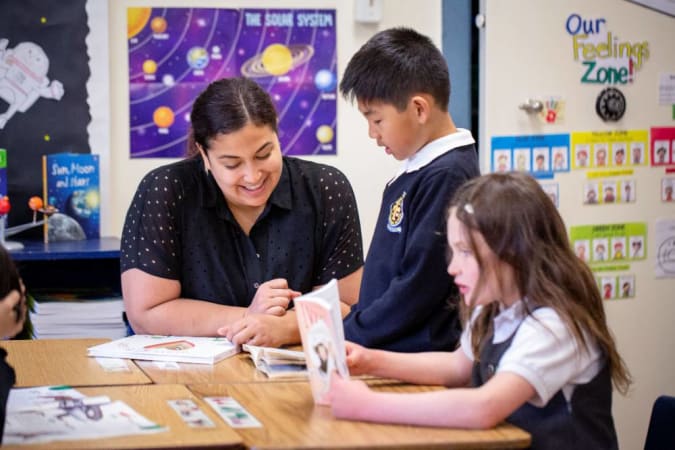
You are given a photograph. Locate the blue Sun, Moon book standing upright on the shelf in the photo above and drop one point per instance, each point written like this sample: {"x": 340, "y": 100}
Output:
{"x": 72, "y": 186}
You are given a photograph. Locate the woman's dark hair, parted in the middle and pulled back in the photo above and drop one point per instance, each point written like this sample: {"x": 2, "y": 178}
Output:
{"x": 226, "y": 106}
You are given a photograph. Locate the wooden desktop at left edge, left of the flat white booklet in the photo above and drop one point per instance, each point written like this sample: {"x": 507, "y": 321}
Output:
{"x": 44, "y": 362}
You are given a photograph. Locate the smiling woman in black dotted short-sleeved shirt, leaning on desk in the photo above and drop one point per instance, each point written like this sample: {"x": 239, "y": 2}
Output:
{"x": 221, "y": 242}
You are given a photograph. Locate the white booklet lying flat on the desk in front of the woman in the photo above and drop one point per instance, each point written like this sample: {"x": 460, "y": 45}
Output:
{"x": 189, "y": 349}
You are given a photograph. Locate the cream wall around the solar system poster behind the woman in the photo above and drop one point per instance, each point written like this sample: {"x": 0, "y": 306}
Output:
{"x": 367, "y": 166}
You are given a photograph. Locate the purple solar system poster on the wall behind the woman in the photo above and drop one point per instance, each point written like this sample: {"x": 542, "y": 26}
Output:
{"x": 174, "y": 53}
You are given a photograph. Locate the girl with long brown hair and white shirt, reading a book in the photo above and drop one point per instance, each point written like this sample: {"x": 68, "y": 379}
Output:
{"x": 536, "y": 350}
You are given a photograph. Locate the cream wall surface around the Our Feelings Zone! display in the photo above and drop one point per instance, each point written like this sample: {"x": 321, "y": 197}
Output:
{"x": 529, "y": 54}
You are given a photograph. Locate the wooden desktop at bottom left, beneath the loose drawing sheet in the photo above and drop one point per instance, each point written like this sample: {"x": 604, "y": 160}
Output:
{"x": 151, "y": 402}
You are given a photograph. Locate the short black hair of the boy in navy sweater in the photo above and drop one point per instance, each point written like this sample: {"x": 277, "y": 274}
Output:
{"x": 394, "y": 65}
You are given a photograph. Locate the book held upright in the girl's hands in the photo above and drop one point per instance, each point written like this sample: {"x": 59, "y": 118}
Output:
{"x": 322, "y": 333}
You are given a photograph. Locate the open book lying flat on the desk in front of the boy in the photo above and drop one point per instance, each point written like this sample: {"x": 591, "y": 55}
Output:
{"x": 277, "y": 362}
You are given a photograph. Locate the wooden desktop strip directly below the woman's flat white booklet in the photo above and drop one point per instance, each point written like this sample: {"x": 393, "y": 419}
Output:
{"x": 235, "y": 369}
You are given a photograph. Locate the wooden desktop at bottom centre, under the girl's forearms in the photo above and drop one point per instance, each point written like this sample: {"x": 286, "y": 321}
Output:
{"x": 292, "y": 421}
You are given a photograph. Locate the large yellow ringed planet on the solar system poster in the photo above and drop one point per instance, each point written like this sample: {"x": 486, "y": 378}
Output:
{"x": 277, "y": 59}
